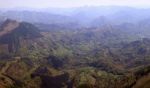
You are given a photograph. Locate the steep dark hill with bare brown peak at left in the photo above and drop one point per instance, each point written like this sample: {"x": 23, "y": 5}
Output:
{"x": 13, "y": 33}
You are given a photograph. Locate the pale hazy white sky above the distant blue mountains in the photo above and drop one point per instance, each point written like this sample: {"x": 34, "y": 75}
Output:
{"x": 70, "y": 3}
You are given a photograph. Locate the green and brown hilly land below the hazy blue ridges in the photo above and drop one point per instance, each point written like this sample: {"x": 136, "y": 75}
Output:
{"x": 86, "y": 58}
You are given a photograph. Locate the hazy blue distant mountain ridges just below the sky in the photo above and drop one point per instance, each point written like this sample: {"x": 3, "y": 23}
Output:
{"x": 81, "y": 15}
